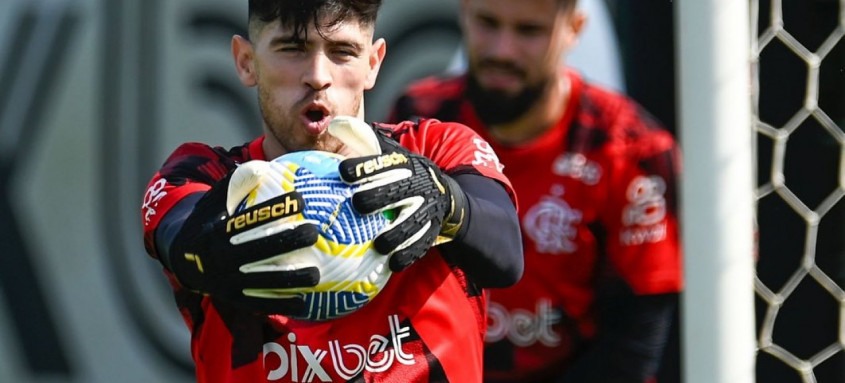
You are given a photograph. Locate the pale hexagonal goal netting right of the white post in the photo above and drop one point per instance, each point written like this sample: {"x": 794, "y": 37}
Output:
{"x": 798, "y": 56}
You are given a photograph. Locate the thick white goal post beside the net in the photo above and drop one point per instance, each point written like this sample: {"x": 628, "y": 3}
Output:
{"x": 717, "y": 190}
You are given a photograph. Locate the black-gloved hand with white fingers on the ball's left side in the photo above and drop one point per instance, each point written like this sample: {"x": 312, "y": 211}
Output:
{"x": 228, "y": 255}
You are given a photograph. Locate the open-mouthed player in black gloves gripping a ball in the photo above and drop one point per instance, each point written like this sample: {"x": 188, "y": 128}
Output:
{"x": 311, "y": 61}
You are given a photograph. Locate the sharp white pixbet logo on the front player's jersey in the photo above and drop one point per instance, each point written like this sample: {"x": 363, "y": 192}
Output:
{"x": 301, "y": 363}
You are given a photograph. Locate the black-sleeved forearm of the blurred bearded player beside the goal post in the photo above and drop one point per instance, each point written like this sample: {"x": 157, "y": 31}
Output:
{"x": 631, "y": 351}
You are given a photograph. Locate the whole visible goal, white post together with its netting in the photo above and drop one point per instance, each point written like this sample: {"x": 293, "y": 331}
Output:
{"x": 762, "y": 106}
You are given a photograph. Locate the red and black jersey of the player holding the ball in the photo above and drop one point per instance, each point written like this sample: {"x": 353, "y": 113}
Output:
{"x": 426, "y": 325}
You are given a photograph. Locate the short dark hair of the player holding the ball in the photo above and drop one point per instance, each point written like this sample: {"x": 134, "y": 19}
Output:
{"x": 297, "y": 14}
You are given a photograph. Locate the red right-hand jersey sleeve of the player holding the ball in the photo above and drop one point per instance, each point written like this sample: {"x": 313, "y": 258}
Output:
{"x": 455, "y": 148}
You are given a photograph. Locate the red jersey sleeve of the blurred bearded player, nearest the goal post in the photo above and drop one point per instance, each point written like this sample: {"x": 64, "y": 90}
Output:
{"x": 642, "y": 216}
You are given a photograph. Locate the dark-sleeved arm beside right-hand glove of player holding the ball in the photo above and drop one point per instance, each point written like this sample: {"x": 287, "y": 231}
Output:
{"x": 488, "y": 246}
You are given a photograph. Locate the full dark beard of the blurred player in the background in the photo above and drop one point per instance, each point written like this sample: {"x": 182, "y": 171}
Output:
{"x": 495, "y": 107}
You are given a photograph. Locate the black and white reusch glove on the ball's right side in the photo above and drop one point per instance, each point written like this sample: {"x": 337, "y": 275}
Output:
{"x": 428, "y": 204}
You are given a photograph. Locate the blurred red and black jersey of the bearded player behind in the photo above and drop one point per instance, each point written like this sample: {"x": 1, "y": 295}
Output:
{"x": 597, "y": 207}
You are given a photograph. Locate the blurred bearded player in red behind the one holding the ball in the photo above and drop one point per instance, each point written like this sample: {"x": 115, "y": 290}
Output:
{"x": 595, "y": 177}
